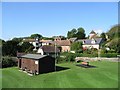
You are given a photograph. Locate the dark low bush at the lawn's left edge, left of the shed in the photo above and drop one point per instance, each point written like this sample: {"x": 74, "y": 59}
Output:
{"x": 8, "y": 62}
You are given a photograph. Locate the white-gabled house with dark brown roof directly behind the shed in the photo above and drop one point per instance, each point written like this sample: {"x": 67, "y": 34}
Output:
{"x": 48, "y": 50}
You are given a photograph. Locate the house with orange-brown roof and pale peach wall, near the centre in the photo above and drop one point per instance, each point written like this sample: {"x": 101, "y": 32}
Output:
{"x": 64, "y": 44}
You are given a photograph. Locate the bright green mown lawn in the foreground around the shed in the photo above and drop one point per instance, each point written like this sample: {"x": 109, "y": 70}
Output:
{"x": 105, "y": 75}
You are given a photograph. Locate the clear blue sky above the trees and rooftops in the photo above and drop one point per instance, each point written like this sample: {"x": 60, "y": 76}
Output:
{"x": 21, "y": 19}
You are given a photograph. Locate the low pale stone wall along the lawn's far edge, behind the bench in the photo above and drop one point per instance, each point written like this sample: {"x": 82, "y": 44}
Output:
{"x": 97, "y": 59}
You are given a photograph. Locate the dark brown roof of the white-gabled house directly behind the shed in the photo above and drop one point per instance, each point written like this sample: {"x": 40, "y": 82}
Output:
{"x": 49, "y": 48}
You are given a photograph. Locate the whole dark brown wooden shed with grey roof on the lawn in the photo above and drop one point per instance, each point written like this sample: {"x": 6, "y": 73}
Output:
{"x": 35, "y": 63}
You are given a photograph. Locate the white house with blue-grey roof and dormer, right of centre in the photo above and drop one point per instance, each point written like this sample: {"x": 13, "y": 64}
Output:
{"x": 92, "y": 43}
